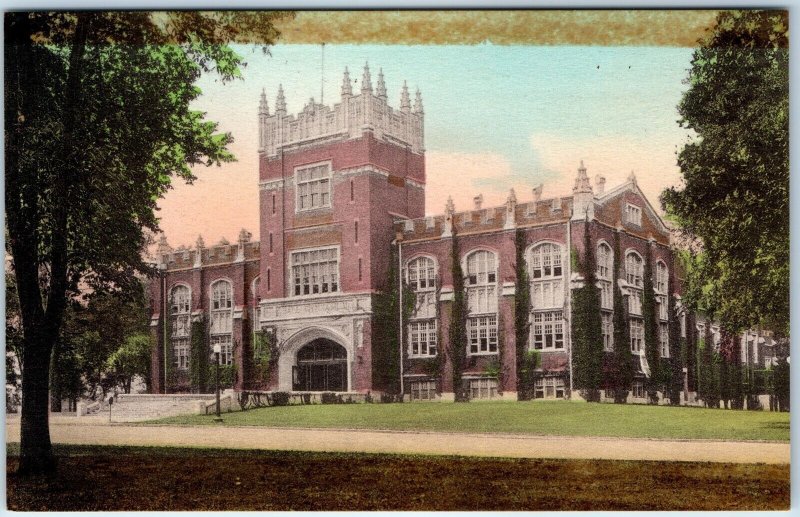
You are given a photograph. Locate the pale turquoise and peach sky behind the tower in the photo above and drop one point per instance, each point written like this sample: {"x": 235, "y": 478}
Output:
{"x": 496, "y": 117}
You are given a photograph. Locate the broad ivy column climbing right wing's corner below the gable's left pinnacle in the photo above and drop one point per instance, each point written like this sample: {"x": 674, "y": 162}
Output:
{"x": 587, "y": 337}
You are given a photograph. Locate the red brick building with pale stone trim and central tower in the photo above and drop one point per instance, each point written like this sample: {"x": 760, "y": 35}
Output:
{"x": 342, "y": 193}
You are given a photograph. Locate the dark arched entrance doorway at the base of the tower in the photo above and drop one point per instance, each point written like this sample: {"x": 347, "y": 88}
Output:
{"x": 321, "y": 366}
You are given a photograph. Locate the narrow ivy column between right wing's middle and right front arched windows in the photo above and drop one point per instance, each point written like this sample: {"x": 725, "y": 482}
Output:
{"x": 522, "y": 314}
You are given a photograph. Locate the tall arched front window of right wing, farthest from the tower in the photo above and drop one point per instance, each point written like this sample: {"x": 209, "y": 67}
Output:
{"x": 547, "y": 297}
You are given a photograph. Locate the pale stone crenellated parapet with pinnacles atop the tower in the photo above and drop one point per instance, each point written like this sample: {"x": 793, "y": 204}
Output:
{"x": 349, "y": 118}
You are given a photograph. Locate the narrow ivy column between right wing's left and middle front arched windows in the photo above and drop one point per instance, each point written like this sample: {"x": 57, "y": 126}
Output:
{"x": 457, "y": 345}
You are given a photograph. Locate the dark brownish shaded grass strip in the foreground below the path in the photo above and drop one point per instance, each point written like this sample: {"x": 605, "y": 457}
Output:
{"x": 92, "y": 478}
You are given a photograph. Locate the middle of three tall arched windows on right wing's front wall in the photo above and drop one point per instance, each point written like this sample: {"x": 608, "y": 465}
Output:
{"x": 481, "y": 284}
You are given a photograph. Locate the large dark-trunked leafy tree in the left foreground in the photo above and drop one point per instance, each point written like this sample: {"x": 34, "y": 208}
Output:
{"x": 97, "y": 123}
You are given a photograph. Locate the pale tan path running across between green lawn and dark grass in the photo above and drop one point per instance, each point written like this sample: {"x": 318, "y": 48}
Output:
{"x": 72, "y": 431}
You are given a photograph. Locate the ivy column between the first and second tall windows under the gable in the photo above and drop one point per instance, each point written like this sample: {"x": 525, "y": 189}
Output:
{"x": 621, "y": 372}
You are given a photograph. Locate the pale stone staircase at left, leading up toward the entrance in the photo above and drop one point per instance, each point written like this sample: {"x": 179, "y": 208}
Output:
{"x": 138, "y": 408}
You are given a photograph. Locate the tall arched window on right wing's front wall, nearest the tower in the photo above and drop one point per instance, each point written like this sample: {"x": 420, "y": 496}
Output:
{"x": 421, "y": 278}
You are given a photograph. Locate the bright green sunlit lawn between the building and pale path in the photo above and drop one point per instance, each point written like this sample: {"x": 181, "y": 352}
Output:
{"x": 540, "y": 418}
